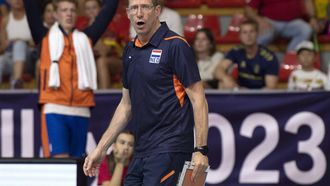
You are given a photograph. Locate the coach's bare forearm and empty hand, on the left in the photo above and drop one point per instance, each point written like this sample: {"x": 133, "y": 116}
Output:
{"x": 118, "y": 123}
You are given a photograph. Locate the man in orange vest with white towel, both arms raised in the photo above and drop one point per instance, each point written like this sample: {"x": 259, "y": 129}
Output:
{"x": 67, "y": 74}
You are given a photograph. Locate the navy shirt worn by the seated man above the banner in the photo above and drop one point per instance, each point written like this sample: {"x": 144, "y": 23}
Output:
{"x": 252, "y": 71}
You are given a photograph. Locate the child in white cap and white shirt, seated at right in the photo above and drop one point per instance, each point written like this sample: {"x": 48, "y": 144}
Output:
{"x": 307, "y": 78}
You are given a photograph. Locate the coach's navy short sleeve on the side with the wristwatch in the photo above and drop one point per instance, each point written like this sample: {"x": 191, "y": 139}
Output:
{"x": 183, "y": 62}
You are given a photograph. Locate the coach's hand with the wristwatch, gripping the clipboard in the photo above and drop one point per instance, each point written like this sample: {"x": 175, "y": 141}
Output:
{"x": 200, "y": 163}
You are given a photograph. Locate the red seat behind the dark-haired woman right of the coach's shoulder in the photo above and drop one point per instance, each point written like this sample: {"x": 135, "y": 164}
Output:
{"x": 195, "y": 22}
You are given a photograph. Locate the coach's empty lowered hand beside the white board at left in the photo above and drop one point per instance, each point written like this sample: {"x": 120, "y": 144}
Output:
{"x": 93, "y": 161}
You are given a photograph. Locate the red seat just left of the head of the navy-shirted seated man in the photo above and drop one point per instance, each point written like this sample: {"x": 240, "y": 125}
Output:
{"x": 232, "y": 34}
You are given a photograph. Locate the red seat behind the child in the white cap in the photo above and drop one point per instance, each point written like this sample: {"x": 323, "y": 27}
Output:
{"x": 290, "y": 63}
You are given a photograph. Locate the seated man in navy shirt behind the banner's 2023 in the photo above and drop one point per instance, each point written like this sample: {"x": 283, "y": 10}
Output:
{"x": 257, "y": 66}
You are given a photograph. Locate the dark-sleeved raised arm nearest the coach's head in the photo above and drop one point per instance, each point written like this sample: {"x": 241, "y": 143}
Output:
{"x": 102, "y": 21}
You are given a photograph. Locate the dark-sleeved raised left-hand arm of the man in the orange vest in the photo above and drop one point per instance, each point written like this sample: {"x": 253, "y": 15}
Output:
{"x": 33, "y": 13}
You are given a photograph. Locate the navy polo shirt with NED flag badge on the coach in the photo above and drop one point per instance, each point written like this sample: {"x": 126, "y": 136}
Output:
{"x": 161, "y": 123}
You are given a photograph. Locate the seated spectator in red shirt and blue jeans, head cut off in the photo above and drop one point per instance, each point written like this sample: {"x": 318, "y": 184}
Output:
{"x": 283, "y": 18}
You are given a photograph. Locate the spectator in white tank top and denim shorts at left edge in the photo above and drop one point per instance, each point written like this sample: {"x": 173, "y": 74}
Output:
{"x": 16, "y": 42}
